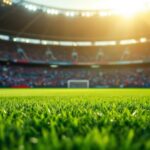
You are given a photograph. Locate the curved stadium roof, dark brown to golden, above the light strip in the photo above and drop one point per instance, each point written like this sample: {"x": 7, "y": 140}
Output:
{"x": 44, "y": 25}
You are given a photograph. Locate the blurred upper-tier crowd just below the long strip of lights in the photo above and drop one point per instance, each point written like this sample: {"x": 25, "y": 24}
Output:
{"x": 28, "y": 52}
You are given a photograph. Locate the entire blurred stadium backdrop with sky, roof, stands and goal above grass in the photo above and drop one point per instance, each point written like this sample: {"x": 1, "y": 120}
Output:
{"x": 75, "y": 43}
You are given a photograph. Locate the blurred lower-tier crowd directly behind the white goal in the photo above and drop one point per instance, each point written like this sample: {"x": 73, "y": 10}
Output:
{"x": 23, "y": 76}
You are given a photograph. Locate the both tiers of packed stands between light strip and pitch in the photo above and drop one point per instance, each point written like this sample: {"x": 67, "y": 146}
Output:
{"x": 27, "y": 65}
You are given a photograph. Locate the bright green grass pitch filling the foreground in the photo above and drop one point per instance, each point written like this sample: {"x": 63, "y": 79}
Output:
{"x": 83, "y": 119}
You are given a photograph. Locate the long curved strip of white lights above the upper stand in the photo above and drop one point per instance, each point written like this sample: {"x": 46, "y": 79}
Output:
{"x": 74, "y": 43}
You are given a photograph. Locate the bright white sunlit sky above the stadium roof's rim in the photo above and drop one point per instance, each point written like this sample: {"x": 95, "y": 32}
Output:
{"x": 117, "y": 5}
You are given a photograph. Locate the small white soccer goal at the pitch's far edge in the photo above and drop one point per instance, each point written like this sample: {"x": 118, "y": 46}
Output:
{"x": 78, "y": 84}
